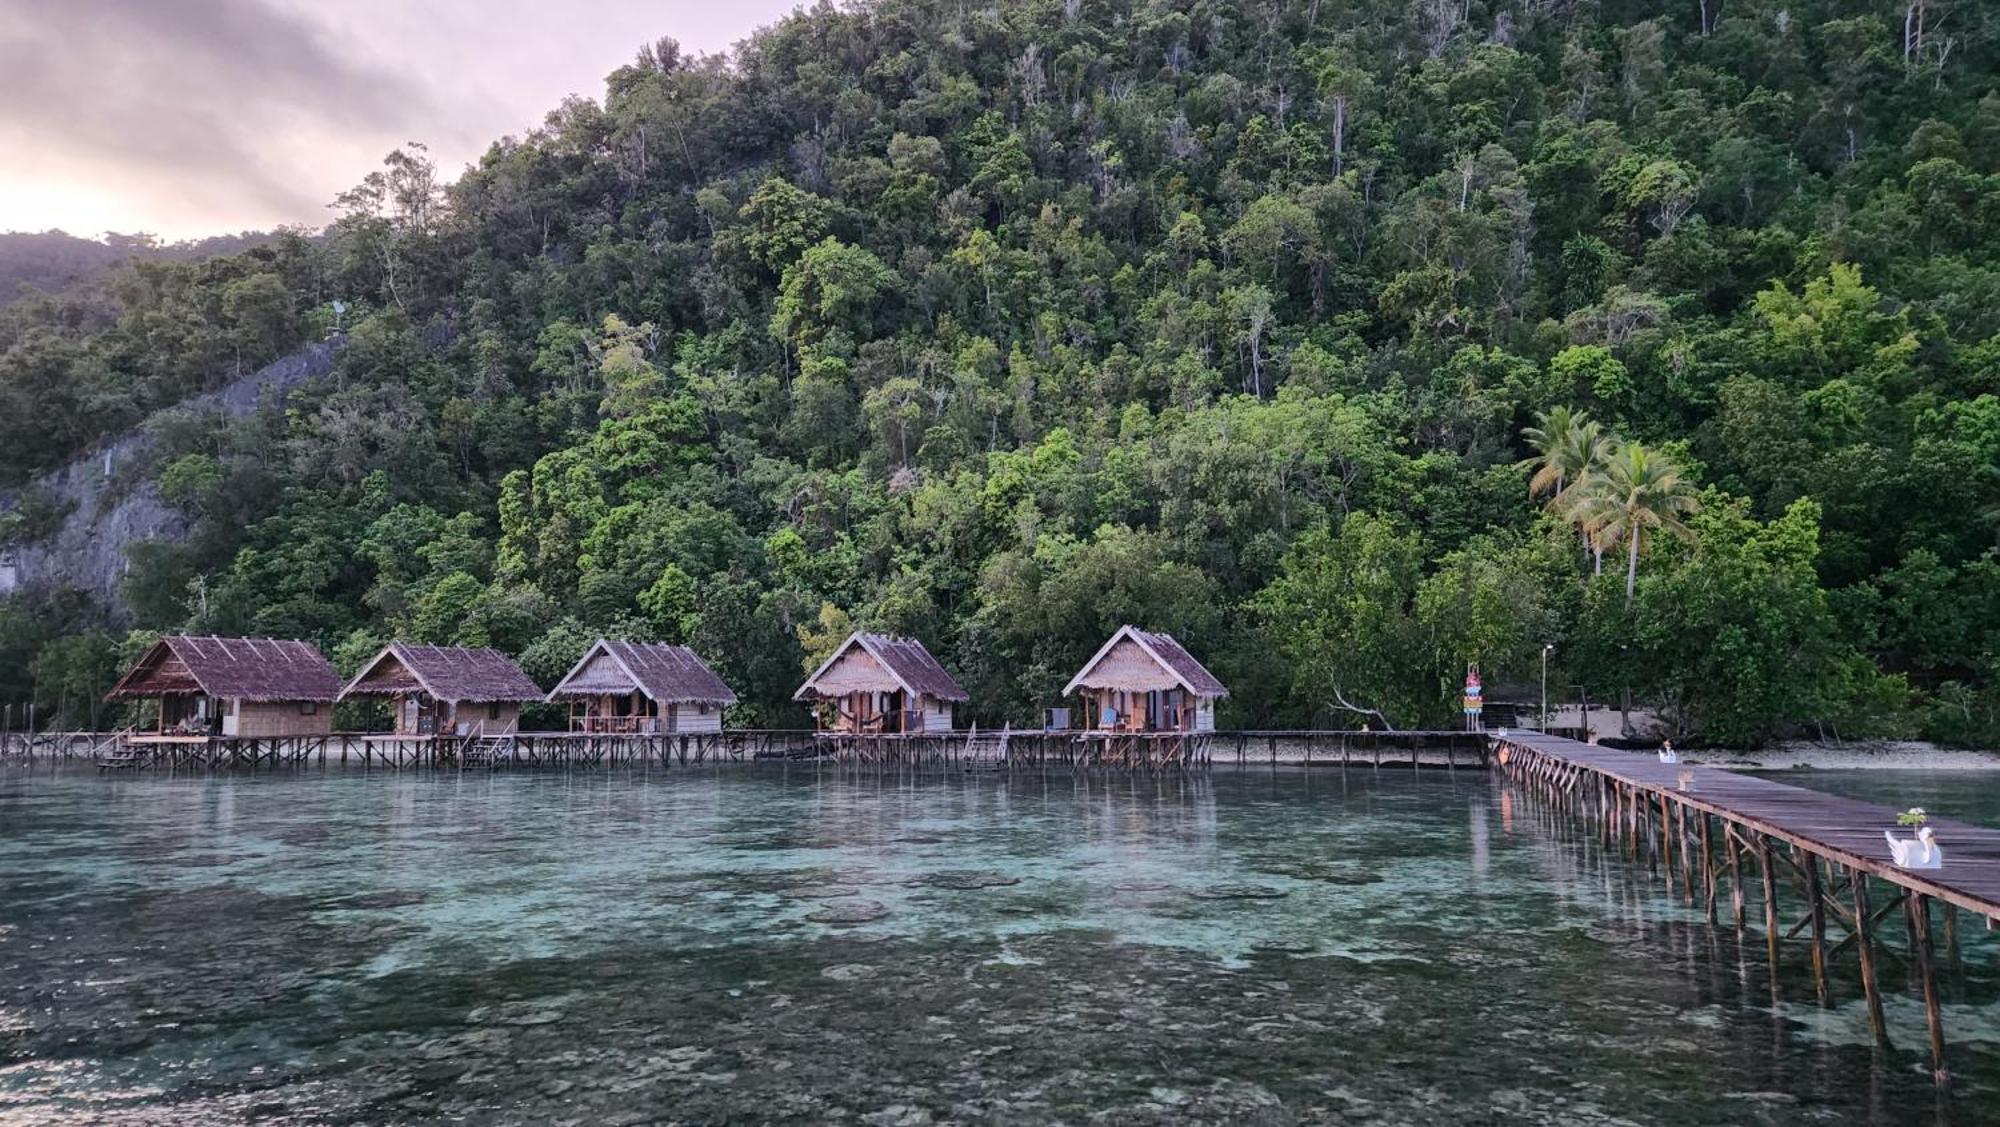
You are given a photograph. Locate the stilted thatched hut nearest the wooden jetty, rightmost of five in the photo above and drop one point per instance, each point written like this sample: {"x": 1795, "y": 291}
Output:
{"x": 1145, "y": 682}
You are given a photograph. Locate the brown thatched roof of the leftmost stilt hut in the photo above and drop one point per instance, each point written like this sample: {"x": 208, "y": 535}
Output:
{"x": 231, "y": 668}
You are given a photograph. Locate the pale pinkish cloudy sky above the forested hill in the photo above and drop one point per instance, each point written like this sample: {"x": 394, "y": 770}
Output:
{"x": 205, "y": 117}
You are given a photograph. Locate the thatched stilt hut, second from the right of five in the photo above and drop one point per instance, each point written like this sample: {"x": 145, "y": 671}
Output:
{"x": 881, "y": 686}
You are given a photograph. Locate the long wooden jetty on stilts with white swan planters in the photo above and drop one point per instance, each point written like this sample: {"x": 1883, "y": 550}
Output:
{"x": 1713, "y": 832}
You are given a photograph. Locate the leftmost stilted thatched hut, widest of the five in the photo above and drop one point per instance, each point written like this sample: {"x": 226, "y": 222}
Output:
{"x": 233, "y": 688}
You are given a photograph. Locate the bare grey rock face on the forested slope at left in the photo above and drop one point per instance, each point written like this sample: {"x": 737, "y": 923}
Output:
{"x": 87, "y": 551}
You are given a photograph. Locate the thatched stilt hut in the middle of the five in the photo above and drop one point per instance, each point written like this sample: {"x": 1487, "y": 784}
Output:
{"x": 643, "y": 688}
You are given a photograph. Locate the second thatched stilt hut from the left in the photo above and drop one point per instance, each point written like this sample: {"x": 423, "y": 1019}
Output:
{"x": 445, "y": 690}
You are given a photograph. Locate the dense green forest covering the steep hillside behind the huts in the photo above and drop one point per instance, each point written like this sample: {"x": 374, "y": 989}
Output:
{"x": 1347, "y": 341}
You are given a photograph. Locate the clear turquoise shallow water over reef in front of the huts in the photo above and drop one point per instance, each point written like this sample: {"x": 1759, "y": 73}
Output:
{"x": 813, "y": 946}
